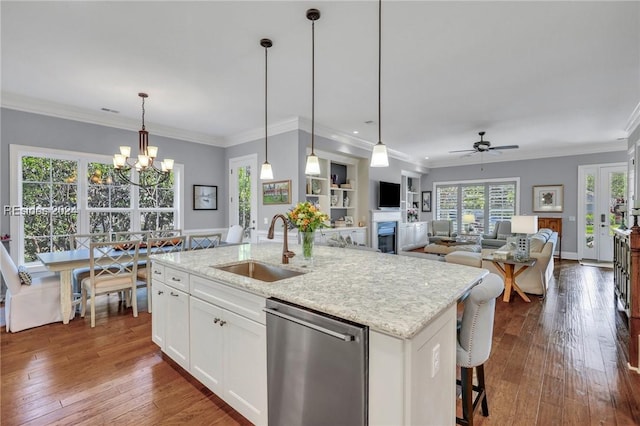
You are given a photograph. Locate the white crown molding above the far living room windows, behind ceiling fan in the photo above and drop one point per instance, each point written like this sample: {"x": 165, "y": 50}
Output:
{"x": 532, "y": 155}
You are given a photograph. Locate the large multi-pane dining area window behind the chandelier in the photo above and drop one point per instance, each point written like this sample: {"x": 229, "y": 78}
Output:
{"x": 58, "y": 194}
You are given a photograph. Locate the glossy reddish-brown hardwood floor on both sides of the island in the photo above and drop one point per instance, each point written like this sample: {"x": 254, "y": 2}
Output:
{"x": 557, "y": 361}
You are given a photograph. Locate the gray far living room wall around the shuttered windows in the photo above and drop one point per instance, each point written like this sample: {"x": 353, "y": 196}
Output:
{"x": 544, "y": 171}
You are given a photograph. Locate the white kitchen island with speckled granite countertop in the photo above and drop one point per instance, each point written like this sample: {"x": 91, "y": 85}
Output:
{"x": 409, "y": 305}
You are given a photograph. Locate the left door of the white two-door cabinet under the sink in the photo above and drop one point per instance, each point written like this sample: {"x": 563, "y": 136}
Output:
{"x": 206, "y": 344}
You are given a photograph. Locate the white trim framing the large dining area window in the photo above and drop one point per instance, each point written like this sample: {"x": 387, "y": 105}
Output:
{"x": 18, "y": 151}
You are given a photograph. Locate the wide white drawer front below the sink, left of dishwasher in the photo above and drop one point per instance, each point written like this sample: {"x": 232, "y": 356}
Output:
{"x": 239, "y": 301}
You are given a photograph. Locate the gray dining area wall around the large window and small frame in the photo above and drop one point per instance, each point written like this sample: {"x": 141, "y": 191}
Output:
{"x": 204, "y": 164}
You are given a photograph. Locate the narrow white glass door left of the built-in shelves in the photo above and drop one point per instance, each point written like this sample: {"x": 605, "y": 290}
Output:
{"x": 243, "y": 194}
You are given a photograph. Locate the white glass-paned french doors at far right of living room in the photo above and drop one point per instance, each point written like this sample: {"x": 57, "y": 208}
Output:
{"x": 602, "y": 191}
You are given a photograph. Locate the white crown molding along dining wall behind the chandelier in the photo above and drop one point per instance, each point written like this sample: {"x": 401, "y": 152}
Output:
{"x": 53, "y": 109}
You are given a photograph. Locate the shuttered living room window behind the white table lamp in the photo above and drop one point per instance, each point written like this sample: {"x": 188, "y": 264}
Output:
{"x": 476, "y": 206}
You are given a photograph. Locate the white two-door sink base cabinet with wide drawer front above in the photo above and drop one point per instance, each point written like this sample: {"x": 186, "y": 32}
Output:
{"x": 228, "y": 345}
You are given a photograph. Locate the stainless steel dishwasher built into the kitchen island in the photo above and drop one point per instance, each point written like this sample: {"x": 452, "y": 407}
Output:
{"x": 317, "y": 367}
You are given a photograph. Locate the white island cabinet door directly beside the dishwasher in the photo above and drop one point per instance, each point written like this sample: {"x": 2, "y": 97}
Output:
{"x": 245, "y": 367}
